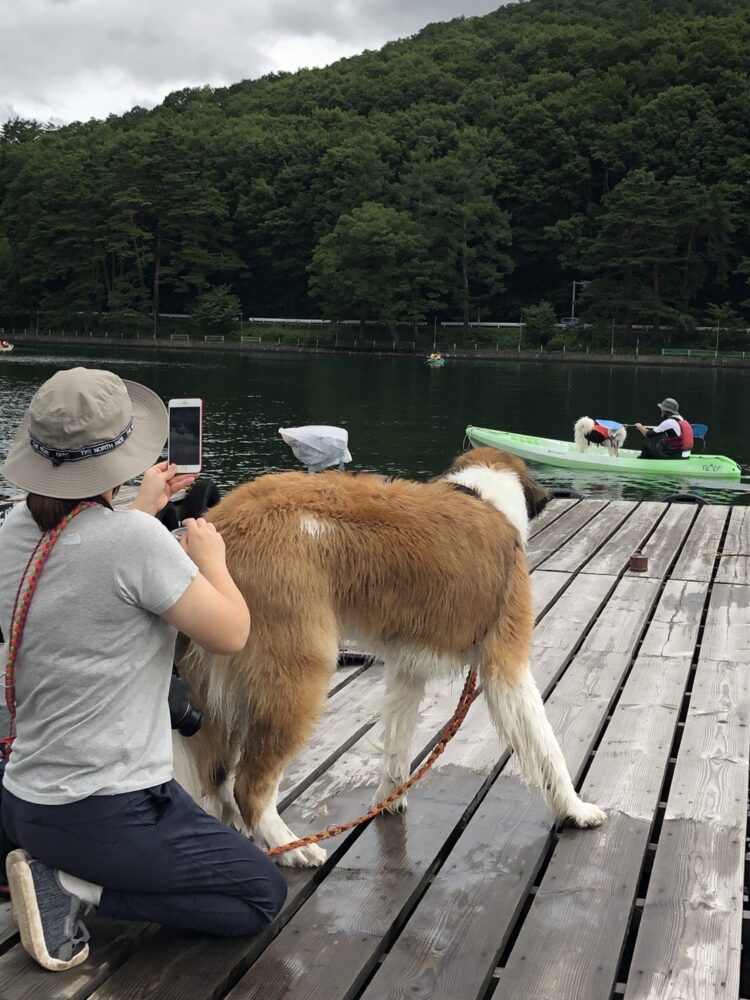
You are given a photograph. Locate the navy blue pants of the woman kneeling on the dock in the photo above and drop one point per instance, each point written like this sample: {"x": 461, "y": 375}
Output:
{"x": 159, "y": 857}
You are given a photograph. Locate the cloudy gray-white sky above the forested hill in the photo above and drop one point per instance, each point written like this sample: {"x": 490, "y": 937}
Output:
{"x": 67, "y": 60}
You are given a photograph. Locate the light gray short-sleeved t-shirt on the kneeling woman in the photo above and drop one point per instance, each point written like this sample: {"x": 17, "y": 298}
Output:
{"x": 93, "y": 671}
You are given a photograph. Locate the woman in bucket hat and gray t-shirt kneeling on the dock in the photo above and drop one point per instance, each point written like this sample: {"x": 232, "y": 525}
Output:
{"x": 88, "y": 794}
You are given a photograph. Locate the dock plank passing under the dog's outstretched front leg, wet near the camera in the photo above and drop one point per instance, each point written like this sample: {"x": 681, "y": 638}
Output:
{"x": 450, "y": 946}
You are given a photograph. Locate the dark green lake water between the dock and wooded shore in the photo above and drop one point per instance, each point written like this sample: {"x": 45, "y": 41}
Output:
{"x": 402, "y": 417}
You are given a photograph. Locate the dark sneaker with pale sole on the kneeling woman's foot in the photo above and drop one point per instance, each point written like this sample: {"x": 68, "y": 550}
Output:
{"x": 48, "y": 916}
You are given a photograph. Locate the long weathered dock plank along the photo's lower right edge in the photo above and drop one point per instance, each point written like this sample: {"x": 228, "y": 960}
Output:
{"x": 689, "y": 940}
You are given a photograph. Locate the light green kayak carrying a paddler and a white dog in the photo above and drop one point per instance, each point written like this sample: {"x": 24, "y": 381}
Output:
{"x": 565, "y": 455}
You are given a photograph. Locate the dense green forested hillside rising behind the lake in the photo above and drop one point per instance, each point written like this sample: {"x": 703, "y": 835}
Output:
{"x": 476, "y": 168}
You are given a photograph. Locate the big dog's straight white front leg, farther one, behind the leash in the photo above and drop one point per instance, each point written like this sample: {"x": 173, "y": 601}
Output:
{"x": 399, "y": 718}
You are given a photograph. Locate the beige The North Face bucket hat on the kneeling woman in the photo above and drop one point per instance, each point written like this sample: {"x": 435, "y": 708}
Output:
{"x": 85, "y": 431}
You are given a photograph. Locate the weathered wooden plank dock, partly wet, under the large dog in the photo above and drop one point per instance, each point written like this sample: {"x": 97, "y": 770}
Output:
{"x": 472, "y": 894}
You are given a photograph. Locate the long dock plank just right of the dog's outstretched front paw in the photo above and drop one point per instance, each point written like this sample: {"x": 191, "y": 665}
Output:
{"x": 572, "y": 938}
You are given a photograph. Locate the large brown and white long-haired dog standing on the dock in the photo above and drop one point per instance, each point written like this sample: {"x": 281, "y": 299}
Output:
{"x": 428, "y": 576}
